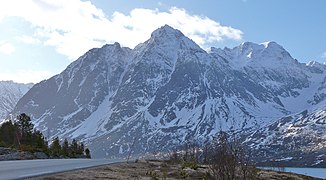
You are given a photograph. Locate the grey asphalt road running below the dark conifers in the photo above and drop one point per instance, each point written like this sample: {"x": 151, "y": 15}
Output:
{"x": 21, "y": 169}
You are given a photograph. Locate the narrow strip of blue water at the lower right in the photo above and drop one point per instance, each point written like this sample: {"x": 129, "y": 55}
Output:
{"x": 314, "y": 172}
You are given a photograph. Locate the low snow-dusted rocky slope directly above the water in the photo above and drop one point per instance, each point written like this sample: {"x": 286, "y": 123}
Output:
{"x": 294, "y": 140}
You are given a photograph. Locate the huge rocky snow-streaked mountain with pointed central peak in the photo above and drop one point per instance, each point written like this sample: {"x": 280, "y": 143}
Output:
{"x": 168, "y": 90}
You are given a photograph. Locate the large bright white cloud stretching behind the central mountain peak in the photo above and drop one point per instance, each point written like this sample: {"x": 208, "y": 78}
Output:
{"x": 75, "y": 26}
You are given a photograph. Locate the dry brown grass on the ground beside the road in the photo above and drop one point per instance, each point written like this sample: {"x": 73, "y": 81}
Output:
{"x": 147, "y": 170}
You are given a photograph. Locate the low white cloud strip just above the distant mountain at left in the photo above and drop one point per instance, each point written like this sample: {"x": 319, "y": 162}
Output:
{"x": 25, "y": 76}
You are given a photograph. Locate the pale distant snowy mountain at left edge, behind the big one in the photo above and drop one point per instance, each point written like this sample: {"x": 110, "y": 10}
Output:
{"x": 10, "y": 93}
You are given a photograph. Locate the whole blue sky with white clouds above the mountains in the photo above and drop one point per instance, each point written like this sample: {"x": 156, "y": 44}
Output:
{"x": 39, "y": 38}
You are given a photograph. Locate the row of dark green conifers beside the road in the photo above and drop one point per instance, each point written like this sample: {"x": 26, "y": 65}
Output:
{"x": 21, "y": 135}
